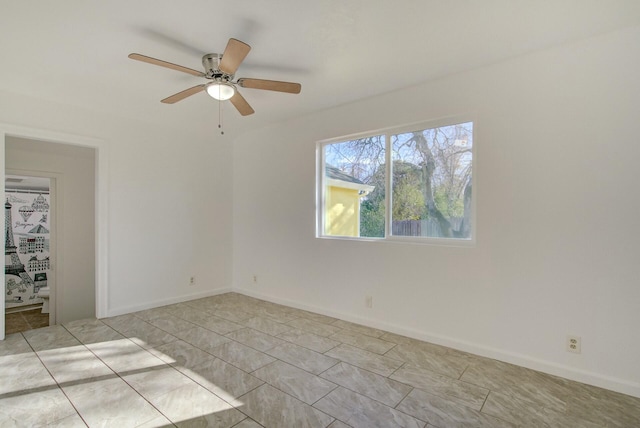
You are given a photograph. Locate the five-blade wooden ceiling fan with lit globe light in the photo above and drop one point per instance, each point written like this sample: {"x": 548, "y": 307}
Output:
{"x": 220, "y": 70}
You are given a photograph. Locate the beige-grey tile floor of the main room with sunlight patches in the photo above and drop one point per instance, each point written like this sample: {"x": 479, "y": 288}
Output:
{"x": 235, "y": 361}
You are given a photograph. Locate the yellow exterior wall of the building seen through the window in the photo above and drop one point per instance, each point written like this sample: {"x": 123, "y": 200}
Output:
{"x": 342, "y": 216}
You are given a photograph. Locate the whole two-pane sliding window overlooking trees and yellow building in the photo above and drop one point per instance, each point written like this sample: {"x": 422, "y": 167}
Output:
{"x": 413, "y": 183}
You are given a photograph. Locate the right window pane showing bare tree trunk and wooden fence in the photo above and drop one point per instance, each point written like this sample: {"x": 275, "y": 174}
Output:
{"x": 431, "y": 182}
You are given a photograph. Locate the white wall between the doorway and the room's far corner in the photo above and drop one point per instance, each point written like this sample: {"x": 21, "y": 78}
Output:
{"x": 169, "y": 201}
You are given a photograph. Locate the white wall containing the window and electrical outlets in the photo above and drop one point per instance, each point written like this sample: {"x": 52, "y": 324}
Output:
{"x": 557, "y": 216}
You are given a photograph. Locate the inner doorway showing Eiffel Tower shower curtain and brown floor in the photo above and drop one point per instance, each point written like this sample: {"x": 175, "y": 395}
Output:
{"x": 29, "y": 252}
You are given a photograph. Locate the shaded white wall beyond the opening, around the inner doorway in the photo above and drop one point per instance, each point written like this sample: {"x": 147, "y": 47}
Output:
{"x": 74, "y": 208}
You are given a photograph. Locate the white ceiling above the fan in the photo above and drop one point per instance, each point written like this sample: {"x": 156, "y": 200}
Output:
{"x": 75, "y": 51}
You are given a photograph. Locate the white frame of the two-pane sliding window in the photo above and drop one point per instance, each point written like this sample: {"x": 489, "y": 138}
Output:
{"x": 387, "y": 132}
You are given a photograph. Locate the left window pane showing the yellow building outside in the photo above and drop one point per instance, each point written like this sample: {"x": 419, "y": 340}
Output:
{"x": 354, "y": 180}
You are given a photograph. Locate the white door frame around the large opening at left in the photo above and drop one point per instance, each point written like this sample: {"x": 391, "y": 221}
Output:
{"x": 101, "y": 201}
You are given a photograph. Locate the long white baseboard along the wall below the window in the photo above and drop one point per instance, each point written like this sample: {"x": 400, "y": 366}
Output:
{"x": 583, "y": 376}
